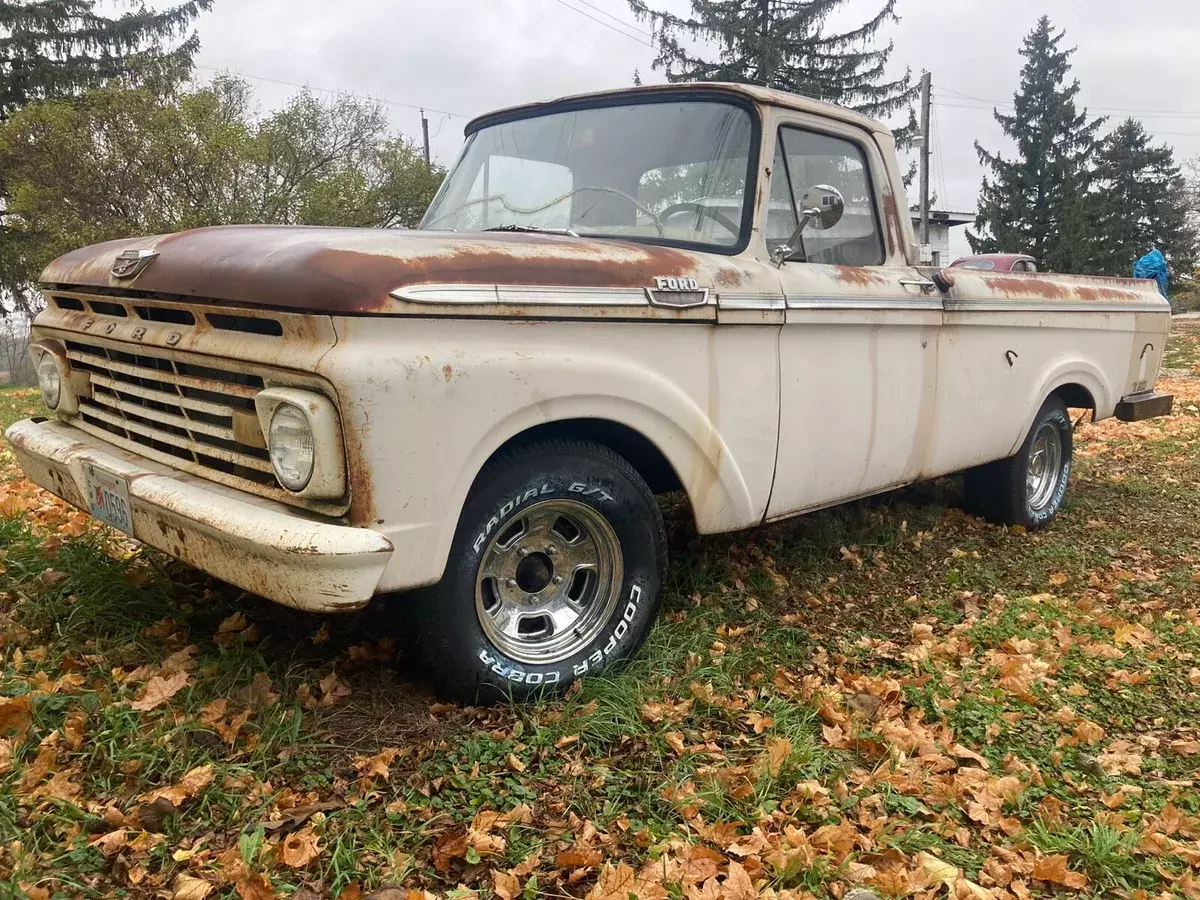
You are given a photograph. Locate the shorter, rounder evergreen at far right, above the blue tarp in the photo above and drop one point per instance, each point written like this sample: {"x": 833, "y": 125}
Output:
{"x": 1139, "y": 203}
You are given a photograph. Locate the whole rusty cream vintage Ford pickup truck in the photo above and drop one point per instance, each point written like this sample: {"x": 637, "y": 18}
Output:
{"x": 710, "y": 289}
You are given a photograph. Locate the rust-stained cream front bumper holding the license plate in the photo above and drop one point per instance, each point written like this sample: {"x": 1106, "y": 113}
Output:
{"x": 260, "y": 545}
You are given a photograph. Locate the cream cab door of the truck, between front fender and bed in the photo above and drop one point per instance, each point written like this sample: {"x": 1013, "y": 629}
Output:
{"x": 859, "y": 350}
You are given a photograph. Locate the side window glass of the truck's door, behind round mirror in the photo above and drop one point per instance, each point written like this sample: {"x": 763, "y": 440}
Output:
{"x": 806, "y": 159}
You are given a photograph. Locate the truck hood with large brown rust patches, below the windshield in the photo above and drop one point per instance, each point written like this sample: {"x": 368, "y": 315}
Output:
{"x": 356, "y": 271}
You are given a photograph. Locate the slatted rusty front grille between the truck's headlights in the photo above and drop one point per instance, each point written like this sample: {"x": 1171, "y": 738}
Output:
{"x": 179, "y": 411}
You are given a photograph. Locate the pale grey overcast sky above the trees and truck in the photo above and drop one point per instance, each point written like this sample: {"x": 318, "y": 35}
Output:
{"x": 469, "y": 57}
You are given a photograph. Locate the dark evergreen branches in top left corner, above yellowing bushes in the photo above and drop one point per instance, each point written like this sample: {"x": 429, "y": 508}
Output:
{"x": 56, "y": 49}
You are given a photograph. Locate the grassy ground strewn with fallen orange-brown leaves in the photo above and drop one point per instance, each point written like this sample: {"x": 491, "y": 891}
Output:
{"x": 890, "y": 695}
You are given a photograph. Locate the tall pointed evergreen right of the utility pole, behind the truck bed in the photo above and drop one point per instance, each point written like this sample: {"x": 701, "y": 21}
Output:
{"x": 1036, "y": 202}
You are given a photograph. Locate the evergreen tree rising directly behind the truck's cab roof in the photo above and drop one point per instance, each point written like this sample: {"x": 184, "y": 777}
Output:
{"x": 783, "y": 44}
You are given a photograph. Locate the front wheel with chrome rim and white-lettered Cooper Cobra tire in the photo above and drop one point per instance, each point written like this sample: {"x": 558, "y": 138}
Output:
{"x": 555, "y": 574}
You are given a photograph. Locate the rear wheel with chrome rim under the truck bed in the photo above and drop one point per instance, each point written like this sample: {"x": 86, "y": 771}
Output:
{"x": 1030, "y": 488}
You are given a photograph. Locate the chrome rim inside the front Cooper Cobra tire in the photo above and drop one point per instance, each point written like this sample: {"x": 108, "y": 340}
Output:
{"x": 549, "y": 581}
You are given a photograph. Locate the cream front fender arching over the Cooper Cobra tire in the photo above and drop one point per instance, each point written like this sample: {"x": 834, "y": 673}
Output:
{"x": 425, "y": 404}
